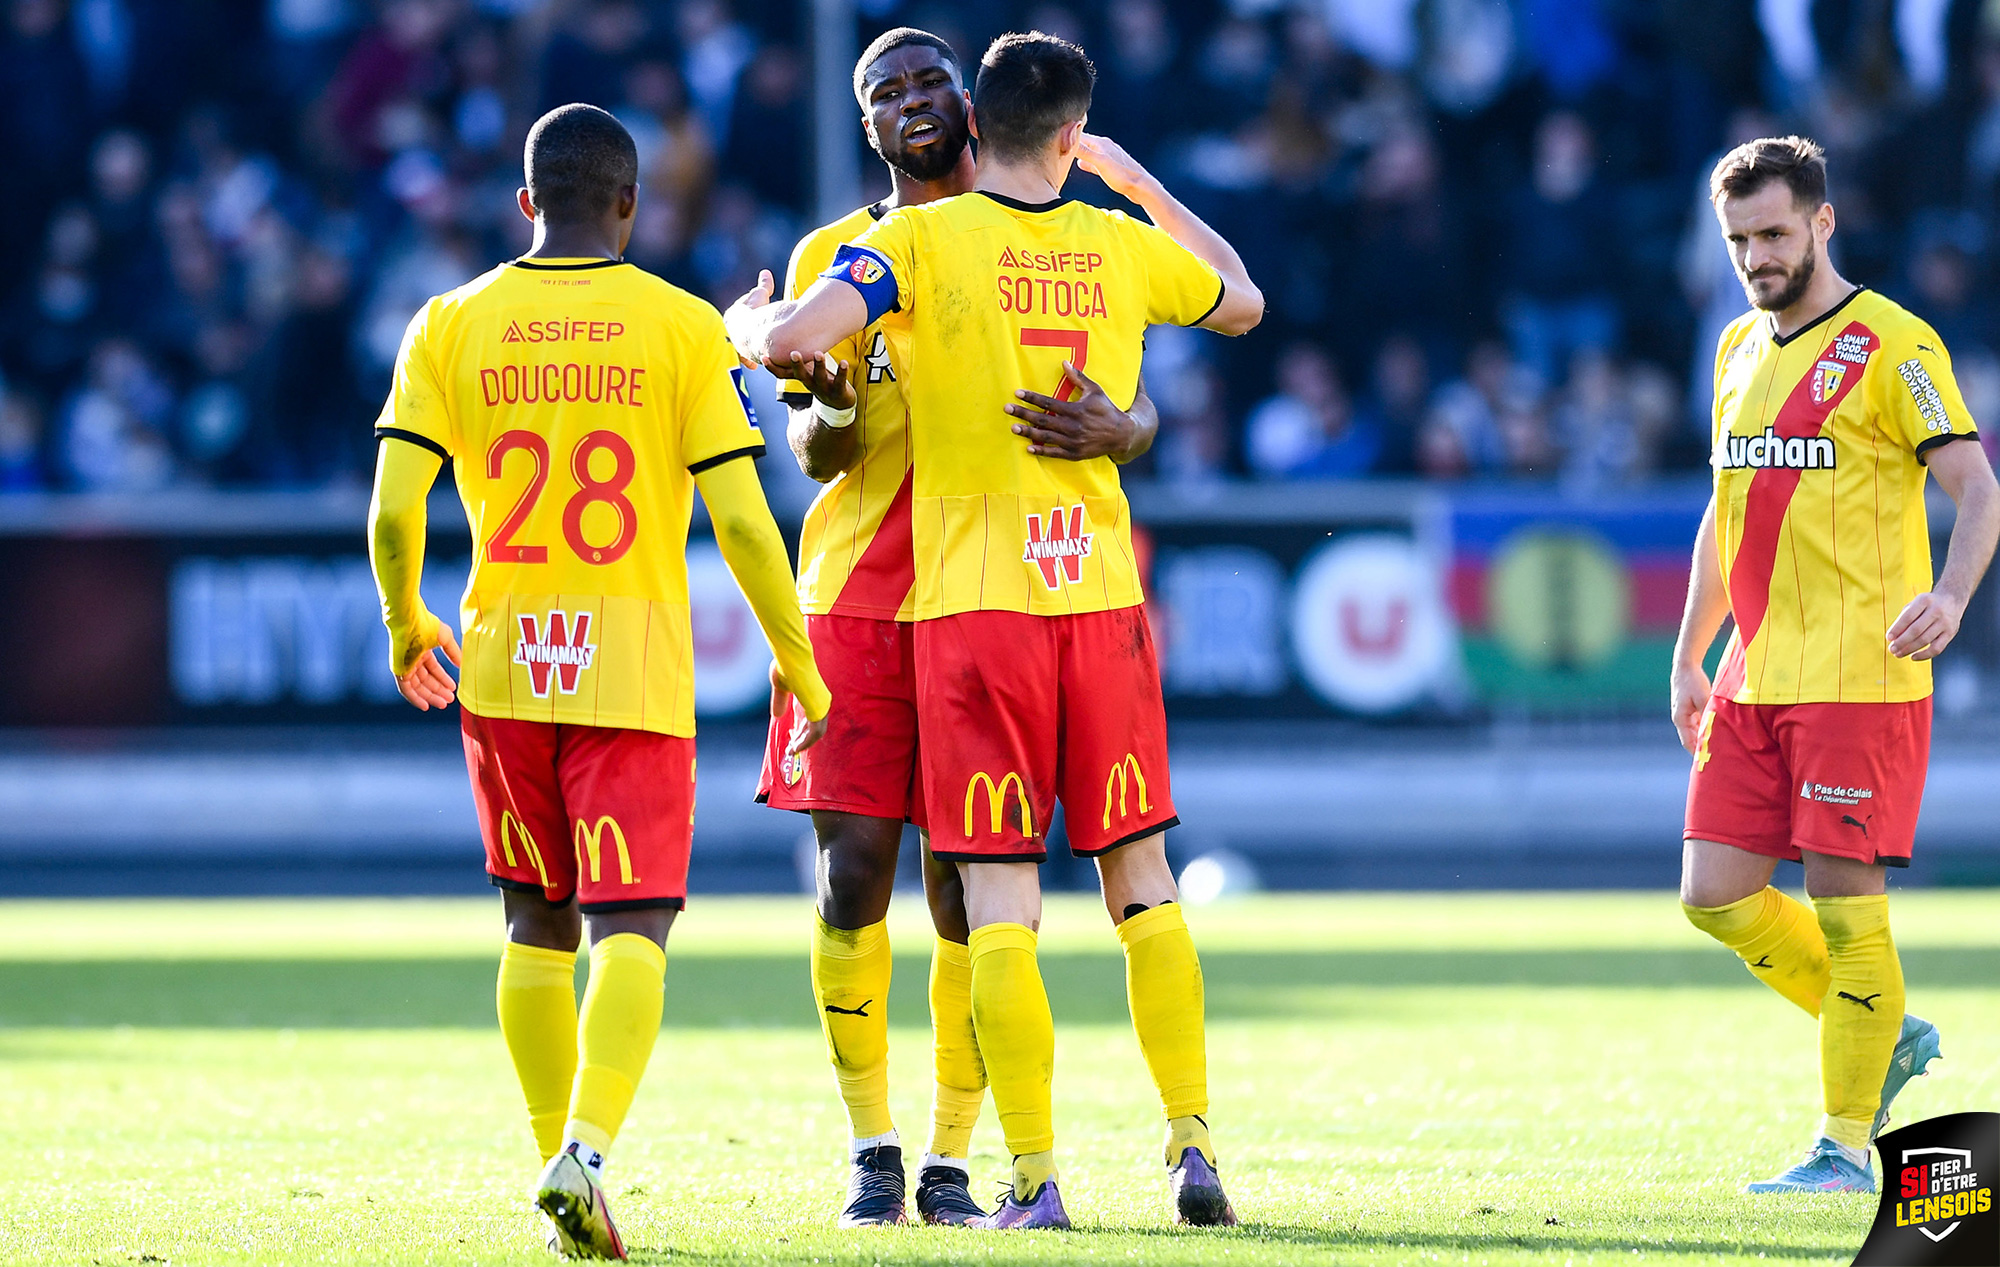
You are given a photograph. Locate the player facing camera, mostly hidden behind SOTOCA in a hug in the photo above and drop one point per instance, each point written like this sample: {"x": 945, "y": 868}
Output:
{"x": 857, "y": 587}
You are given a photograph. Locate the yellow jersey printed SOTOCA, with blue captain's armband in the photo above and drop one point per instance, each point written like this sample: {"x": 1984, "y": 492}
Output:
{"x": 999, "y": 295}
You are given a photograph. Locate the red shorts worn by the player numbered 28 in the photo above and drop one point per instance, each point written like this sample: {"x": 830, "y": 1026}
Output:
{"x": 593, "y": 812}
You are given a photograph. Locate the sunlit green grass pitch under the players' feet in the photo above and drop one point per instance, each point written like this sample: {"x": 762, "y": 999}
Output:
{"x": 1397, "y": 1080}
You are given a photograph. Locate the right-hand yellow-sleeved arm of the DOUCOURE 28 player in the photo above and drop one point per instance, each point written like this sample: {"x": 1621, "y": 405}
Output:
{"x": 755, "y": 553}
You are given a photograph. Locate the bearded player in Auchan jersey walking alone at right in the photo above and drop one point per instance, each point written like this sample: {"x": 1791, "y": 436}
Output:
{"x": 1815, "y": 736}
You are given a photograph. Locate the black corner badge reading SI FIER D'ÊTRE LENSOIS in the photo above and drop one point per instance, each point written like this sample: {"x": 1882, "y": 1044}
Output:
{"x": 1939, "y": 1196}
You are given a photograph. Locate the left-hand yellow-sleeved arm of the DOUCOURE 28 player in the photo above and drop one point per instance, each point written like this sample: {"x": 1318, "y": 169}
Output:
{"x": 397, "y": 525}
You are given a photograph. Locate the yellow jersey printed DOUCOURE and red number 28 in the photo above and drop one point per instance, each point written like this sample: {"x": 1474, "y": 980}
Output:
{"x": 577, "y": 401}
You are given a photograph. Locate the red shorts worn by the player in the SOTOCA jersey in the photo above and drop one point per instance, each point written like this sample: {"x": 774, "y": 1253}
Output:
{"x": 1021, "y": 712}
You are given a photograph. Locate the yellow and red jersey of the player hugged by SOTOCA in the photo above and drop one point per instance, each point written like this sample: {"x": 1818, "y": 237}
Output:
{"x": 855, "y": 545}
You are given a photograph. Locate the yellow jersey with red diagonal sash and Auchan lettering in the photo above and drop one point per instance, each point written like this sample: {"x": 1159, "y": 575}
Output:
{"x": 1819, "y": 453}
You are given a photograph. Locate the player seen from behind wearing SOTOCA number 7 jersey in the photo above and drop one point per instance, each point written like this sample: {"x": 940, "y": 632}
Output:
{"x": 1037, "y": 676}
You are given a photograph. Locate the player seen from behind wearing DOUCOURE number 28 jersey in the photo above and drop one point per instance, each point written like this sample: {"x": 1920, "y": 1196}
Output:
{"x": 581, "y": 405}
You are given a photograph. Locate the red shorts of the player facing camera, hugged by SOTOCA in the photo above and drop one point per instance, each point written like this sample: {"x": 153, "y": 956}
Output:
{"x": 867, "y": 762}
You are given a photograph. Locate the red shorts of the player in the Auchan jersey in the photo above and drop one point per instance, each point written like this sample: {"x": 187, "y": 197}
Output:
{"x": 1819, "y": 778}
